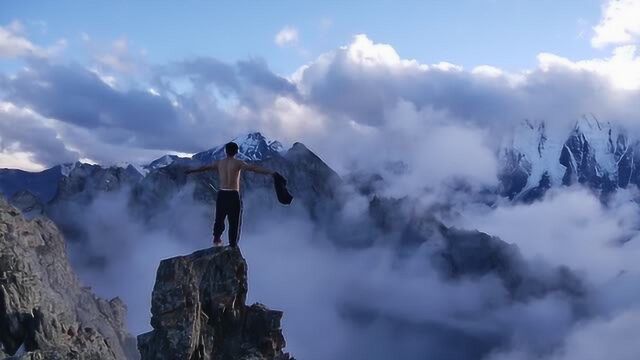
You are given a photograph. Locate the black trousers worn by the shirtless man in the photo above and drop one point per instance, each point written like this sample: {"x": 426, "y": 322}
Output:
{"x": 228, "y": 205}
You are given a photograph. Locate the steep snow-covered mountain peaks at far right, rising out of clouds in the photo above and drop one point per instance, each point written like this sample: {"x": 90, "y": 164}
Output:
{"x": 595, "y": 153}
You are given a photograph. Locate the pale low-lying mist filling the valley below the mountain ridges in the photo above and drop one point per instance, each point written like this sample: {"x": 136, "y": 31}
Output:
{"x": 366, "y": 302}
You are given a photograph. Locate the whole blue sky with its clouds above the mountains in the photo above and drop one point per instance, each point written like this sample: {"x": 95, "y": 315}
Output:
{"x": 106, "y": 82}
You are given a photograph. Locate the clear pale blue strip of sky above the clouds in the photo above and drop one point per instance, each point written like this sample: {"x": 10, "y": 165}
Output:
{"x": 505, "y": 34}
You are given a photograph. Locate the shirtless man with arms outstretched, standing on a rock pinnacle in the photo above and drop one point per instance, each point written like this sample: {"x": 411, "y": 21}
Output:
{"x": 228, "y": 203}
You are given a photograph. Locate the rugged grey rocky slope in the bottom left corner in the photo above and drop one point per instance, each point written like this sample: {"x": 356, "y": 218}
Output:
{"x": 45, "y": 313}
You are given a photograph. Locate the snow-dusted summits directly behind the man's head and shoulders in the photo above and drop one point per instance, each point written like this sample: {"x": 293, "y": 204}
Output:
{"x": 253, "y": 147}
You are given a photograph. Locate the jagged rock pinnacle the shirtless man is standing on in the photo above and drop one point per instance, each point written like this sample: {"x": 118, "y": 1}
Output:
{"x": 199, "y": 312}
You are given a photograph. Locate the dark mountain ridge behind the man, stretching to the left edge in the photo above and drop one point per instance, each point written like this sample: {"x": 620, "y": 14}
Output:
{"x": 150, "y": 191}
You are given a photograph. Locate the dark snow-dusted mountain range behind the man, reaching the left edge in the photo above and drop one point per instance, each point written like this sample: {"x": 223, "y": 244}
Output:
{"x": 150, "y": 185}
